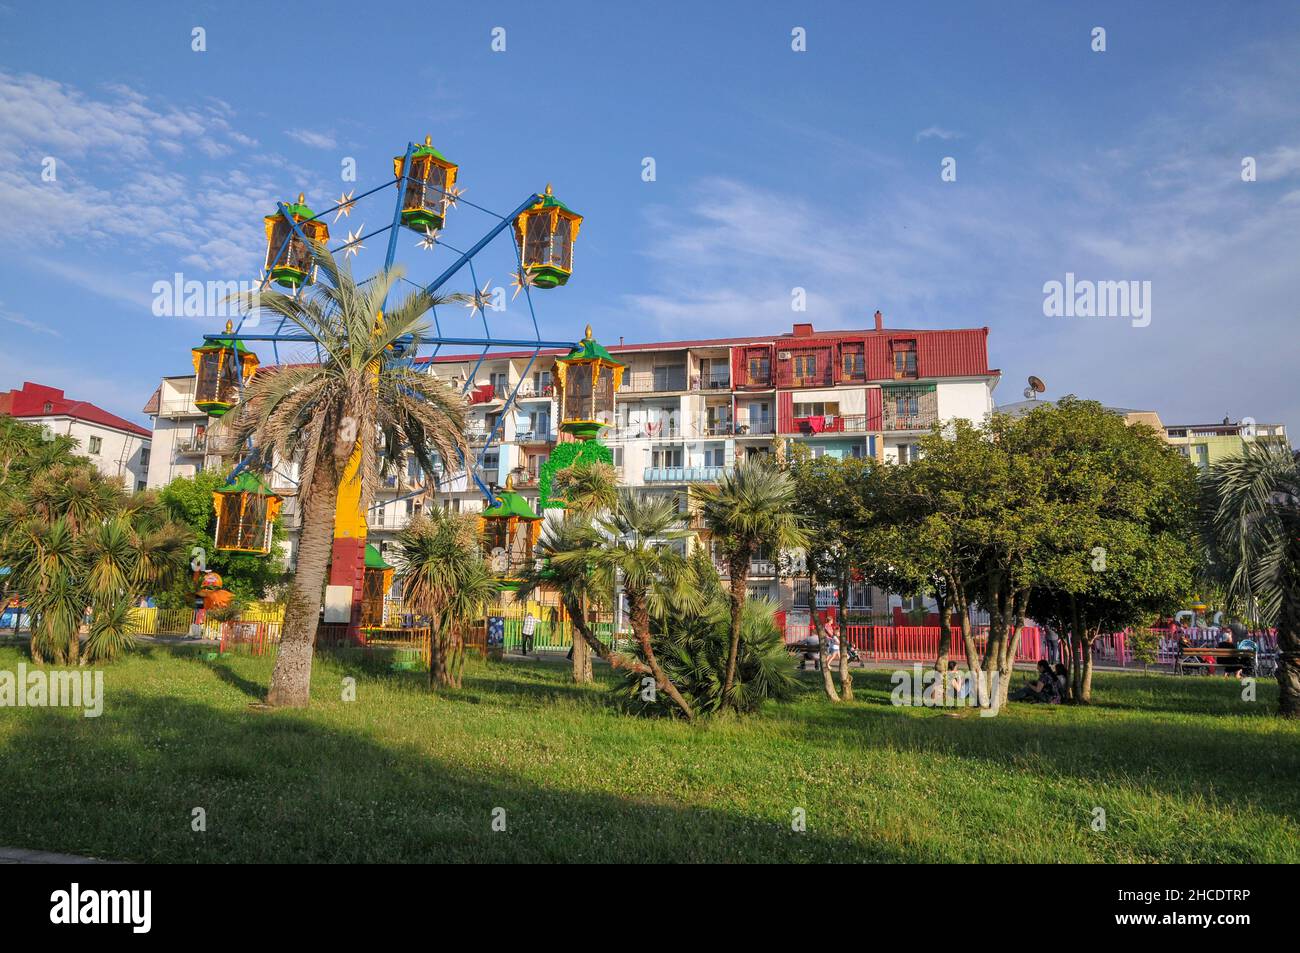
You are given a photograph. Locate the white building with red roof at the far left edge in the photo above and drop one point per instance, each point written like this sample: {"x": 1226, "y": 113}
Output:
{"x": 119, "y": 449}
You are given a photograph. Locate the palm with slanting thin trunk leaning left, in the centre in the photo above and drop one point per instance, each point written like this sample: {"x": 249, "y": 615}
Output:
{"x": 632, "y": 545}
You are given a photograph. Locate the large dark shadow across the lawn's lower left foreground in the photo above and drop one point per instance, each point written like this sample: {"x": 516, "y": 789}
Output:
{"x": 285, "y": 787}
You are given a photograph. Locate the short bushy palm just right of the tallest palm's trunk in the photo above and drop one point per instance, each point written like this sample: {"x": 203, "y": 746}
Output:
{"x": 445, "y": 578}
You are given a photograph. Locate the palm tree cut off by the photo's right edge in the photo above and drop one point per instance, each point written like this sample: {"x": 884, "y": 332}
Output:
{"x": 1253, "y": 517}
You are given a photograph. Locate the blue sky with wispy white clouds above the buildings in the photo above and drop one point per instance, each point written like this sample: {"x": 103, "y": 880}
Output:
{"x": 775, "y": 170}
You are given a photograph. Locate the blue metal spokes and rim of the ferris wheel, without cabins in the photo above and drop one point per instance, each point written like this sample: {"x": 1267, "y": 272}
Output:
{"x": 406, "y": 345}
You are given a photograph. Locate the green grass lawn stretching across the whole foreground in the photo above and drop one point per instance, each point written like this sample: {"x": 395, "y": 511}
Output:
{"x": 1185, "y": 770}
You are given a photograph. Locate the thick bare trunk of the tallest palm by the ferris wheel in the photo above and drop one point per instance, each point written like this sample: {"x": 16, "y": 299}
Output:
{"x": 292, "y": 679}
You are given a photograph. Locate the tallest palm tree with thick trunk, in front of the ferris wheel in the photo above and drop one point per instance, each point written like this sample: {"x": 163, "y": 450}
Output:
{"x": 339, "y": 411}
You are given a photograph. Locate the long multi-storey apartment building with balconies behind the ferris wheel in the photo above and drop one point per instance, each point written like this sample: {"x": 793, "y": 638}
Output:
{"x": 686, "y": 413}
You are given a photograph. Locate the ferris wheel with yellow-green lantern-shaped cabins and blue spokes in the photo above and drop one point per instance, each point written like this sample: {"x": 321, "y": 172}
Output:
{"x": 424, "y": 184}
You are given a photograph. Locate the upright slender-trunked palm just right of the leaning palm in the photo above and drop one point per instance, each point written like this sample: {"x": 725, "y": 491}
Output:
{"x": 751, "y": 509}
